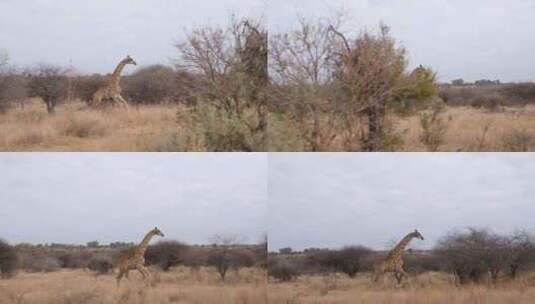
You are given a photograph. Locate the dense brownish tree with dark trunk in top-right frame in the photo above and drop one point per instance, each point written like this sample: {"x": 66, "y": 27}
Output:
{"x": 369, "y": 69}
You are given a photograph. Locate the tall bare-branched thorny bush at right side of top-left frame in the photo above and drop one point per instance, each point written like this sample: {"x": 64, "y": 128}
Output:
{"x": 231, "y": 65}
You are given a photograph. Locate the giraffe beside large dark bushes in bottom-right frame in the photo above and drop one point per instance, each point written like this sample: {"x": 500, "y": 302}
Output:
{"x": 393, "y": 262}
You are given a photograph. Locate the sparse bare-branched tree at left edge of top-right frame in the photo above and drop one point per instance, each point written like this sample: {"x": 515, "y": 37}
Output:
{"x": 302, "y": 71}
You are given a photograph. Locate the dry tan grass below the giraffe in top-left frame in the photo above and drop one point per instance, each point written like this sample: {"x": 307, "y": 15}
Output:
{"x": 75, "y": 127}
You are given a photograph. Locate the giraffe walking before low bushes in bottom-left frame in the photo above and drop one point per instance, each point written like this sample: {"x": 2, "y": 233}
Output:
{"x": 135, "y": 259}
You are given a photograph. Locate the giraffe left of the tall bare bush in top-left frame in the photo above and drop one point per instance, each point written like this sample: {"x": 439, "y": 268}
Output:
{"x": 111, "y": 88}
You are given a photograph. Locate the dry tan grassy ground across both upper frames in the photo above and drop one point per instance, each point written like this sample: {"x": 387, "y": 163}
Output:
{"x": 75, "y": 127}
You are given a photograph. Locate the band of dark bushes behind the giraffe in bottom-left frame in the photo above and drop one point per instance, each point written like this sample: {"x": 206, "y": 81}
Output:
{"x": 101, "y": 259}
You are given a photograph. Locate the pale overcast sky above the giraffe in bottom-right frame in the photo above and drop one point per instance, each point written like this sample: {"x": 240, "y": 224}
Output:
{"x": 333, "y": 200}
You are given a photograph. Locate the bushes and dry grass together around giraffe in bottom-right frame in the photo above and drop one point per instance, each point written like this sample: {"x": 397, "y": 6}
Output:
{"x": 466, "y": 266}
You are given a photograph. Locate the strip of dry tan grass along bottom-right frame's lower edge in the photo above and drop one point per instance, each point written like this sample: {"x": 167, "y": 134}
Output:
{"x": 428, "y": 288}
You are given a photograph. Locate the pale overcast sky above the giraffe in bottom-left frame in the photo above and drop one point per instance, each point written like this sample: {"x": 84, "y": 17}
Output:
{"x": 79, "y": 197}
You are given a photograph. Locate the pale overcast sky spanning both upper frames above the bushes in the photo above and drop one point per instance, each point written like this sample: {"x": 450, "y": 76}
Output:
{"x": 470, "y": 39}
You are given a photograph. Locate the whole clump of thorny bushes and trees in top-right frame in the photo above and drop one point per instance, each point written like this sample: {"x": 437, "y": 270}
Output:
{"x": 338, "y": 86}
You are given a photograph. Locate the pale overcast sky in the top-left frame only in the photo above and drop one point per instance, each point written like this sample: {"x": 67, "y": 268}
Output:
{"x": 96, "y": 34}
